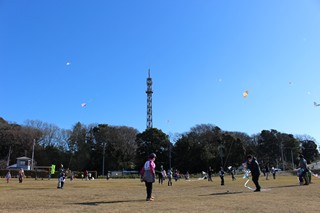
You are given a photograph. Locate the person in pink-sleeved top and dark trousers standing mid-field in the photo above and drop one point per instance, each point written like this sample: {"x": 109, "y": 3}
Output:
{"x": 148, "y": 175}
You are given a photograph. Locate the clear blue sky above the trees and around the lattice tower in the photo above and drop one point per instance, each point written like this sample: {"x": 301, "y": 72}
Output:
{"x": 56, "y": 55}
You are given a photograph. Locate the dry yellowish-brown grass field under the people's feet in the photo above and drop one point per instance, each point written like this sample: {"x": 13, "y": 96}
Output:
{"x": 128, "y": 195}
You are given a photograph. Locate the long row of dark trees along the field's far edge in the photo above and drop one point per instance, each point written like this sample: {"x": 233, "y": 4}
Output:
{"x": 103, "y": 148}
